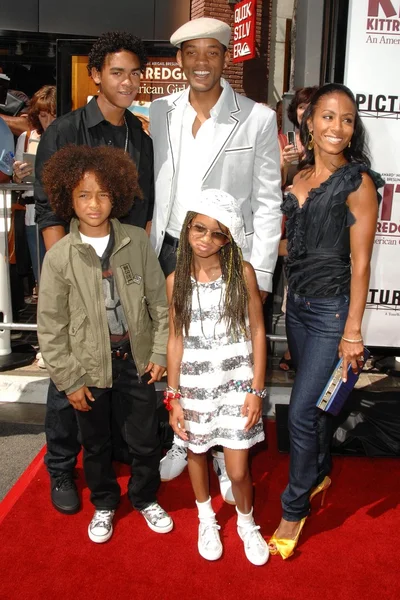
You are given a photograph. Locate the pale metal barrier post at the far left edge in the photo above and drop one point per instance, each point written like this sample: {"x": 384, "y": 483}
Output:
{"x": 18, "y": 355}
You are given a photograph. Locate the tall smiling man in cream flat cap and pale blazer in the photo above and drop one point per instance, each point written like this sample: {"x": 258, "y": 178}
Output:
{"x": 211, "y": 137}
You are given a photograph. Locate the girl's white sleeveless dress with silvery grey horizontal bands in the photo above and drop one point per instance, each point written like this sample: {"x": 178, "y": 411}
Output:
{"x": 212, "y": 362}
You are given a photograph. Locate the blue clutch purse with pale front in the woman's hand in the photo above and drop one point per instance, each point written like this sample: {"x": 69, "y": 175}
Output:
{"x": 336, "y": 391}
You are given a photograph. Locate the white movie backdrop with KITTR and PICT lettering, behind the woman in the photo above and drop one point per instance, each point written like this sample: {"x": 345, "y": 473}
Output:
{"x": 372, "y": 73}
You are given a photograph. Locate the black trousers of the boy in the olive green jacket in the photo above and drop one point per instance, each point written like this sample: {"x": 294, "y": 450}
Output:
{"x": 131, "y": 404}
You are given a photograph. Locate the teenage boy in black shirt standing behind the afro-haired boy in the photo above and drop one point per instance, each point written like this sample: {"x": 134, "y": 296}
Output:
{"x": 116, "y": 61}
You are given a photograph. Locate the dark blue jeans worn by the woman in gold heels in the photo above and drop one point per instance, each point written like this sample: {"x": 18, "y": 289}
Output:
{"x": 314, "y": 327}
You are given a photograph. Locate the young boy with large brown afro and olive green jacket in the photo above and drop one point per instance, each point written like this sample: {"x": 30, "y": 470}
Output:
{"x": 103, "y": 325}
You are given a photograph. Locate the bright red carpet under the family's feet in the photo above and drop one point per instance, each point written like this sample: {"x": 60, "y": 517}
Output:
{"x": 349, "y": 549}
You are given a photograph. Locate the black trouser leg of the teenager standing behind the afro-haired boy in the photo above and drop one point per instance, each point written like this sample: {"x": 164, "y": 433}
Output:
{"x": 61, "y": 429}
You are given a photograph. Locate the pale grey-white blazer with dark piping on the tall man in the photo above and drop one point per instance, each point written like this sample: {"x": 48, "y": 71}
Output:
{"x": 244, "y": 161}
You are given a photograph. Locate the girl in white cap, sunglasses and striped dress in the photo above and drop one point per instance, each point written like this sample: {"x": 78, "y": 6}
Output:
{"x": 216, "y": 362}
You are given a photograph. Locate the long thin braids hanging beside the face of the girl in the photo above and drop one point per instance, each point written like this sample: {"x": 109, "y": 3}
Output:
{"x": 236, "y": 299}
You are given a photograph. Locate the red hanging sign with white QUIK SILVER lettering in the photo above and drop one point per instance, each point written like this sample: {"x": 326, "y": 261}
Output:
{"x": 244, "y": 31}
